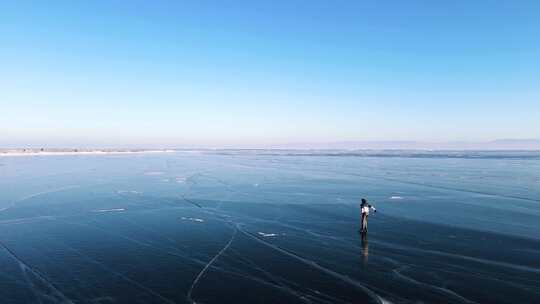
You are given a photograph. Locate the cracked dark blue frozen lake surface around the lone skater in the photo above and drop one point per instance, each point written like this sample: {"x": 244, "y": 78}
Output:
{"x": 265, "y": 227}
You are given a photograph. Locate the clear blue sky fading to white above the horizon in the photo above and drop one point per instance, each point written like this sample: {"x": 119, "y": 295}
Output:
{"x": 152, "y": 73}
